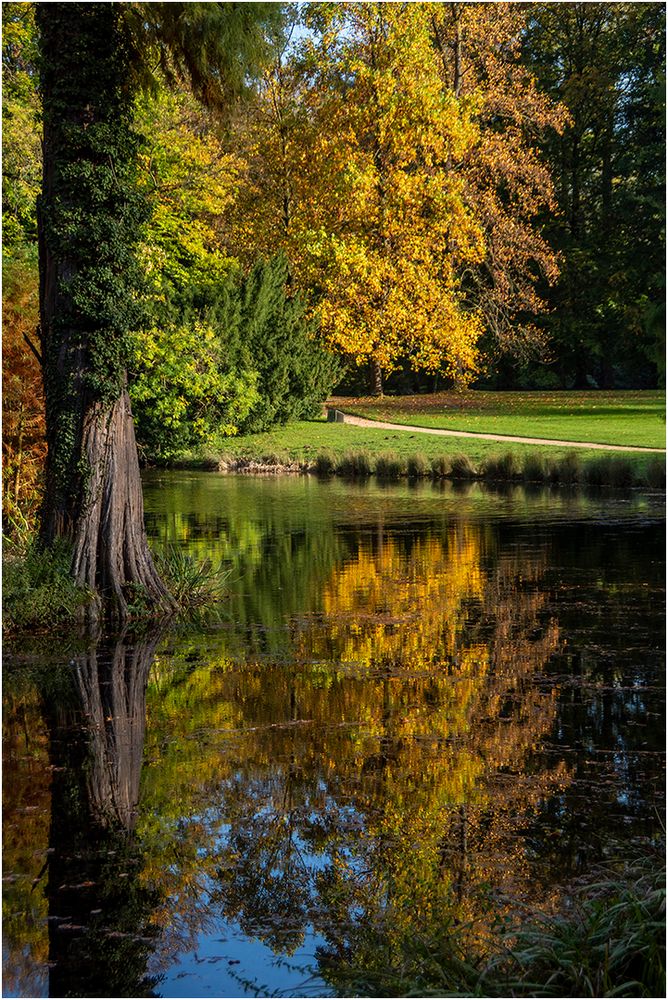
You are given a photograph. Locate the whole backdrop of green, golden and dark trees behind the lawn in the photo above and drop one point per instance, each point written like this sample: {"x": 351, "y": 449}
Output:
{"x": 412, "y": 196}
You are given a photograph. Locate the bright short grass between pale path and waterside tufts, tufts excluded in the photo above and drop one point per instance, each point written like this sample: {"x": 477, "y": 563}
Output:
{"x": 303, "y": 440}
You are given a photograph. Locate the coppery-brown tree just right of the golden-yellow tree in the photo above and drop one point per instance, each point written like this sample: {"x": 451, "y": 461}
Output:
{"x": 507, "y": 183}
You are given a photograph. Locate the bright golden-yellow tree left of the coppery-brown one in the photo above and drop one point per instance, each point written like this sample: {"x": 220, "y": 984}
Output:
{"x": 389, "y": 229}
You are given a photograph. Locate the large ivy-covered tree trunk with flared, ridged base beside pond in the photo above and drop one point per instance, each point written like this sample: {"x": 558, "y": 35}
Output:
{"x": 90, "y": 215}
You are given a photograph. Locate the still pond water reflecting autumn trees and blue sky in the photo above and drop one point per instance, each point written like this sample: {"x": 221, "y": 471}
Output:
{"x": 417, "y": 701}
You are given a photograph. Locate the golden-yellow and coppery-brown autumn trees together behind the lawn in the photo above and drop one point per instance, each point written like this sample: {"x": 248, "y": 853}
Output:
{"x": 392, "y": 154}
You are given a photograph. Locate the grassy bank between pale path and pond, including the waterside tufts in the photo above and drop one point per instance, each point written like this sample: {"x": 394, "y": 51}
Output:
{"x": 342, "y": 449}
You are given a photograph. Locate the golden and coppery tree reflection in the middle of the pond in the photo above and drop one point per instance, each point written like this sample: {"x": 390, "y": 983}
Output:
{"x": 403, "y": 794}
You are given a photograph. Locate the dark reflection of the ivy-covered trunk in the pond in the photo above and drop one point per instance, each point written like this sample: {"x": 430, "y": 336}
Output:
{"x": 99, "y": 913}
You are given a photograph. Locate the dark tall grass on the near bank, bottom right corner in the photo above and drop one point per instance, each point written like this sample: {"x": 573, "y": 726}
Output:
{"x": 608, "y": 939}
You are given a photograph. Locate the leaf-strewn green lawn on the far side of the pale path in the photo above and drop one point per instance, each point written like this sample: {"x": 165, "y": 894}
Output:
{"x": 623, "y": 417}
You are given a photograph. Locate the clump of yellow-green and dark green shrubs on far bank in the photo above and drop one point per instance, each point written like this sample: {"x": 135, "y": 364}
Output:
{"x": 224, "y": 355}
